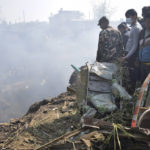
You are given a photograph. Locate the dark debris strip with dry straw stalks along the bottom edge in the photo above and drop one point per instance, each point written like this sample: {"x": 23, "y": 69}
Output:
{"x": 115, "y": 137}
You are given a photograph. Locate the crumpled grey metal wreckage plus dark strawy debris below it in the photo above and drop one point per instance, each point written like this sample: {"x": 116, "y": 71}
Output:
{"x": 97, "y": 100}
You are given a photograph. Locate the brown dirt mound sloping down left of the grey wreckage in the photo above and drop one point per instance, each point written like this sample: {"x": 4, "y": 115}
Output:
{"x": 43, "y": 122}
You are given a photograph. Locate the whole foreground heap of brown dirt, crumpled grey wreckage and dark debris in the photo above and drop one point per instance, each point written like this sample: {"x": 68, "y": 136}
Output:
{"x": 95, "y": 114}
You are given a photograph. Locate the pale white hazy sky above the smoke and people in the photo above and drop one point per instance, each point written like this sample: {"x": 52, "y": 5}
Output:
{"x": 15, "y": 10}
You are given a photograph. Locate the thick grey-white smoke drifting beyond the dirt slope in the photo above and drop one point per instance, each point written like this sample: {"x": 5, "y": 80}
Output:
{"x": 36, "y": 57}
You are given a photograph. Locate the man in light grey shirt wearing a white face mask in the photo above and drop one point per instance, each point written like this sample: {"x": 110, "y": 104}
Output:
{"x": 132, "y": 46}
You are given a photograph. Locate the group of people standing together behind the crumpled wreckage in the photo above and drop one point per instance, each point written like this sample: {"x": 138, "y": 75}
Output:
{"x": 129, "y": 43}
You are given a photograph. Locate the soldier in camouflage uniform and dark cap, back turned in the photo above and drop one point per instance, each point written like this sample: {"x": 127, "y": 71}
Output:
{"x": 110, "y": 45}
